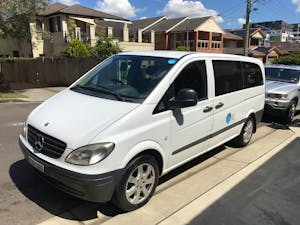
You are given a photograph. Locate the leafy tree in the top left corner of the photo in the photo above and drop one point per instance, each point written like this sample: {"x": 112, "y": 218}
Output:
{"x": 15, "y": 16}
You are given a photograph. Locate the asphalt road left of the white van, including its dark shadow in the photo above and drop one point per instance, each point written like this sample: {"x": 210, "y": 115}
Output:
{"x": 25, "y": 198}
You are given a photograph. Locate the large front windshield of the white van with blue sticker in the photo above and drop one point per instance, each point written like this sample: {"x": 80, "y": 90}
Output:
{"x": 125, "y": 77}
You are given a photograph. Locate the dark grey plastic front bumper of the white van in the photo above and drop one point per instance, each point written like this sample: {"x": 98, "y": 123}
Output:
{"x": 95, "y": 188}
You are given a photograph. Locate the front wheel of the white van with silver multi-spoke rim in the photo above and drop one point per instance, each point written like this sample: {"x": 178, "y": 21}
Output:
{"x": 138, "y": 183}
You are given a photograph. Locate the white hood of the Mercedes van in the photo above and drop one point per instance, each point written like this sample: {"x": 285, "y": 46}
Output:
{"x": 77, "y": 118}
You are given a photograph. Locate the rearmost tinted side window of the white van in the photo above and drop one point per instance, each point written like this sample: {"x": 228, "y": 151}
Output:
{"x": 252, "y": 75}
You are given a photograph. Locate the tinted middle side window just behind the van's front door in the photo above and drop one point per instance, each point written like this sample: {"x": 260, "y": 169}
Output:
{"x": 228, "y": 76}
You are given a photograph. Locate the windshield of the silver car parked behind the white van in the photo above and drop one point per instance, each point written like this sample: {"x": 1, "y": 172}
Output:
{"x": 283, "y": 75}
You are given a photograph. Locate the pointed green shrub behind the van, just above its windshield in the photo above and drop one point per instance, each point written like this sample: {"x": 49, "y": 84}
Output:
{"x": 104, "y": 47}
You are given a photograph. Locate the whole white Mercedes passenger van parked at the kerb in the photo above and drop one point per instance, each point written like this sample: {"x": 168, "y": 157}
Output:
{"x": 137, "y": 116}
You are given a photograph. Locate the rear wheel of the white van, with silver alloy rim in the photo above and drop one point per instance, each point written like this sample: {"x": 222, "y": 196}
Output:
{"x": 245, "y": 136}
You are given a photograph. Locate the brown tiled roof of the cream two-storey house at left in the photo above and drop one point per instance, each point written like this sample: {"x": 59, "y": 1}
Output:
{"x": 77, "y": 10}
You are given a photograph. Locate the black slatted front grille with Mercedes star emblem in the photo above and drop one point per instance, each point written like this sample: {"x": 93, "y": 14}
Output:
{"x": 51, "y": 147}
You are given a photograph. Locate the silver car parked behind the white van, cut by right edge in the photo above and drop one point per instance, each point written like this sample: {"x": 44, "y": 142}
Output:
{"x": 282, "y": 90}
